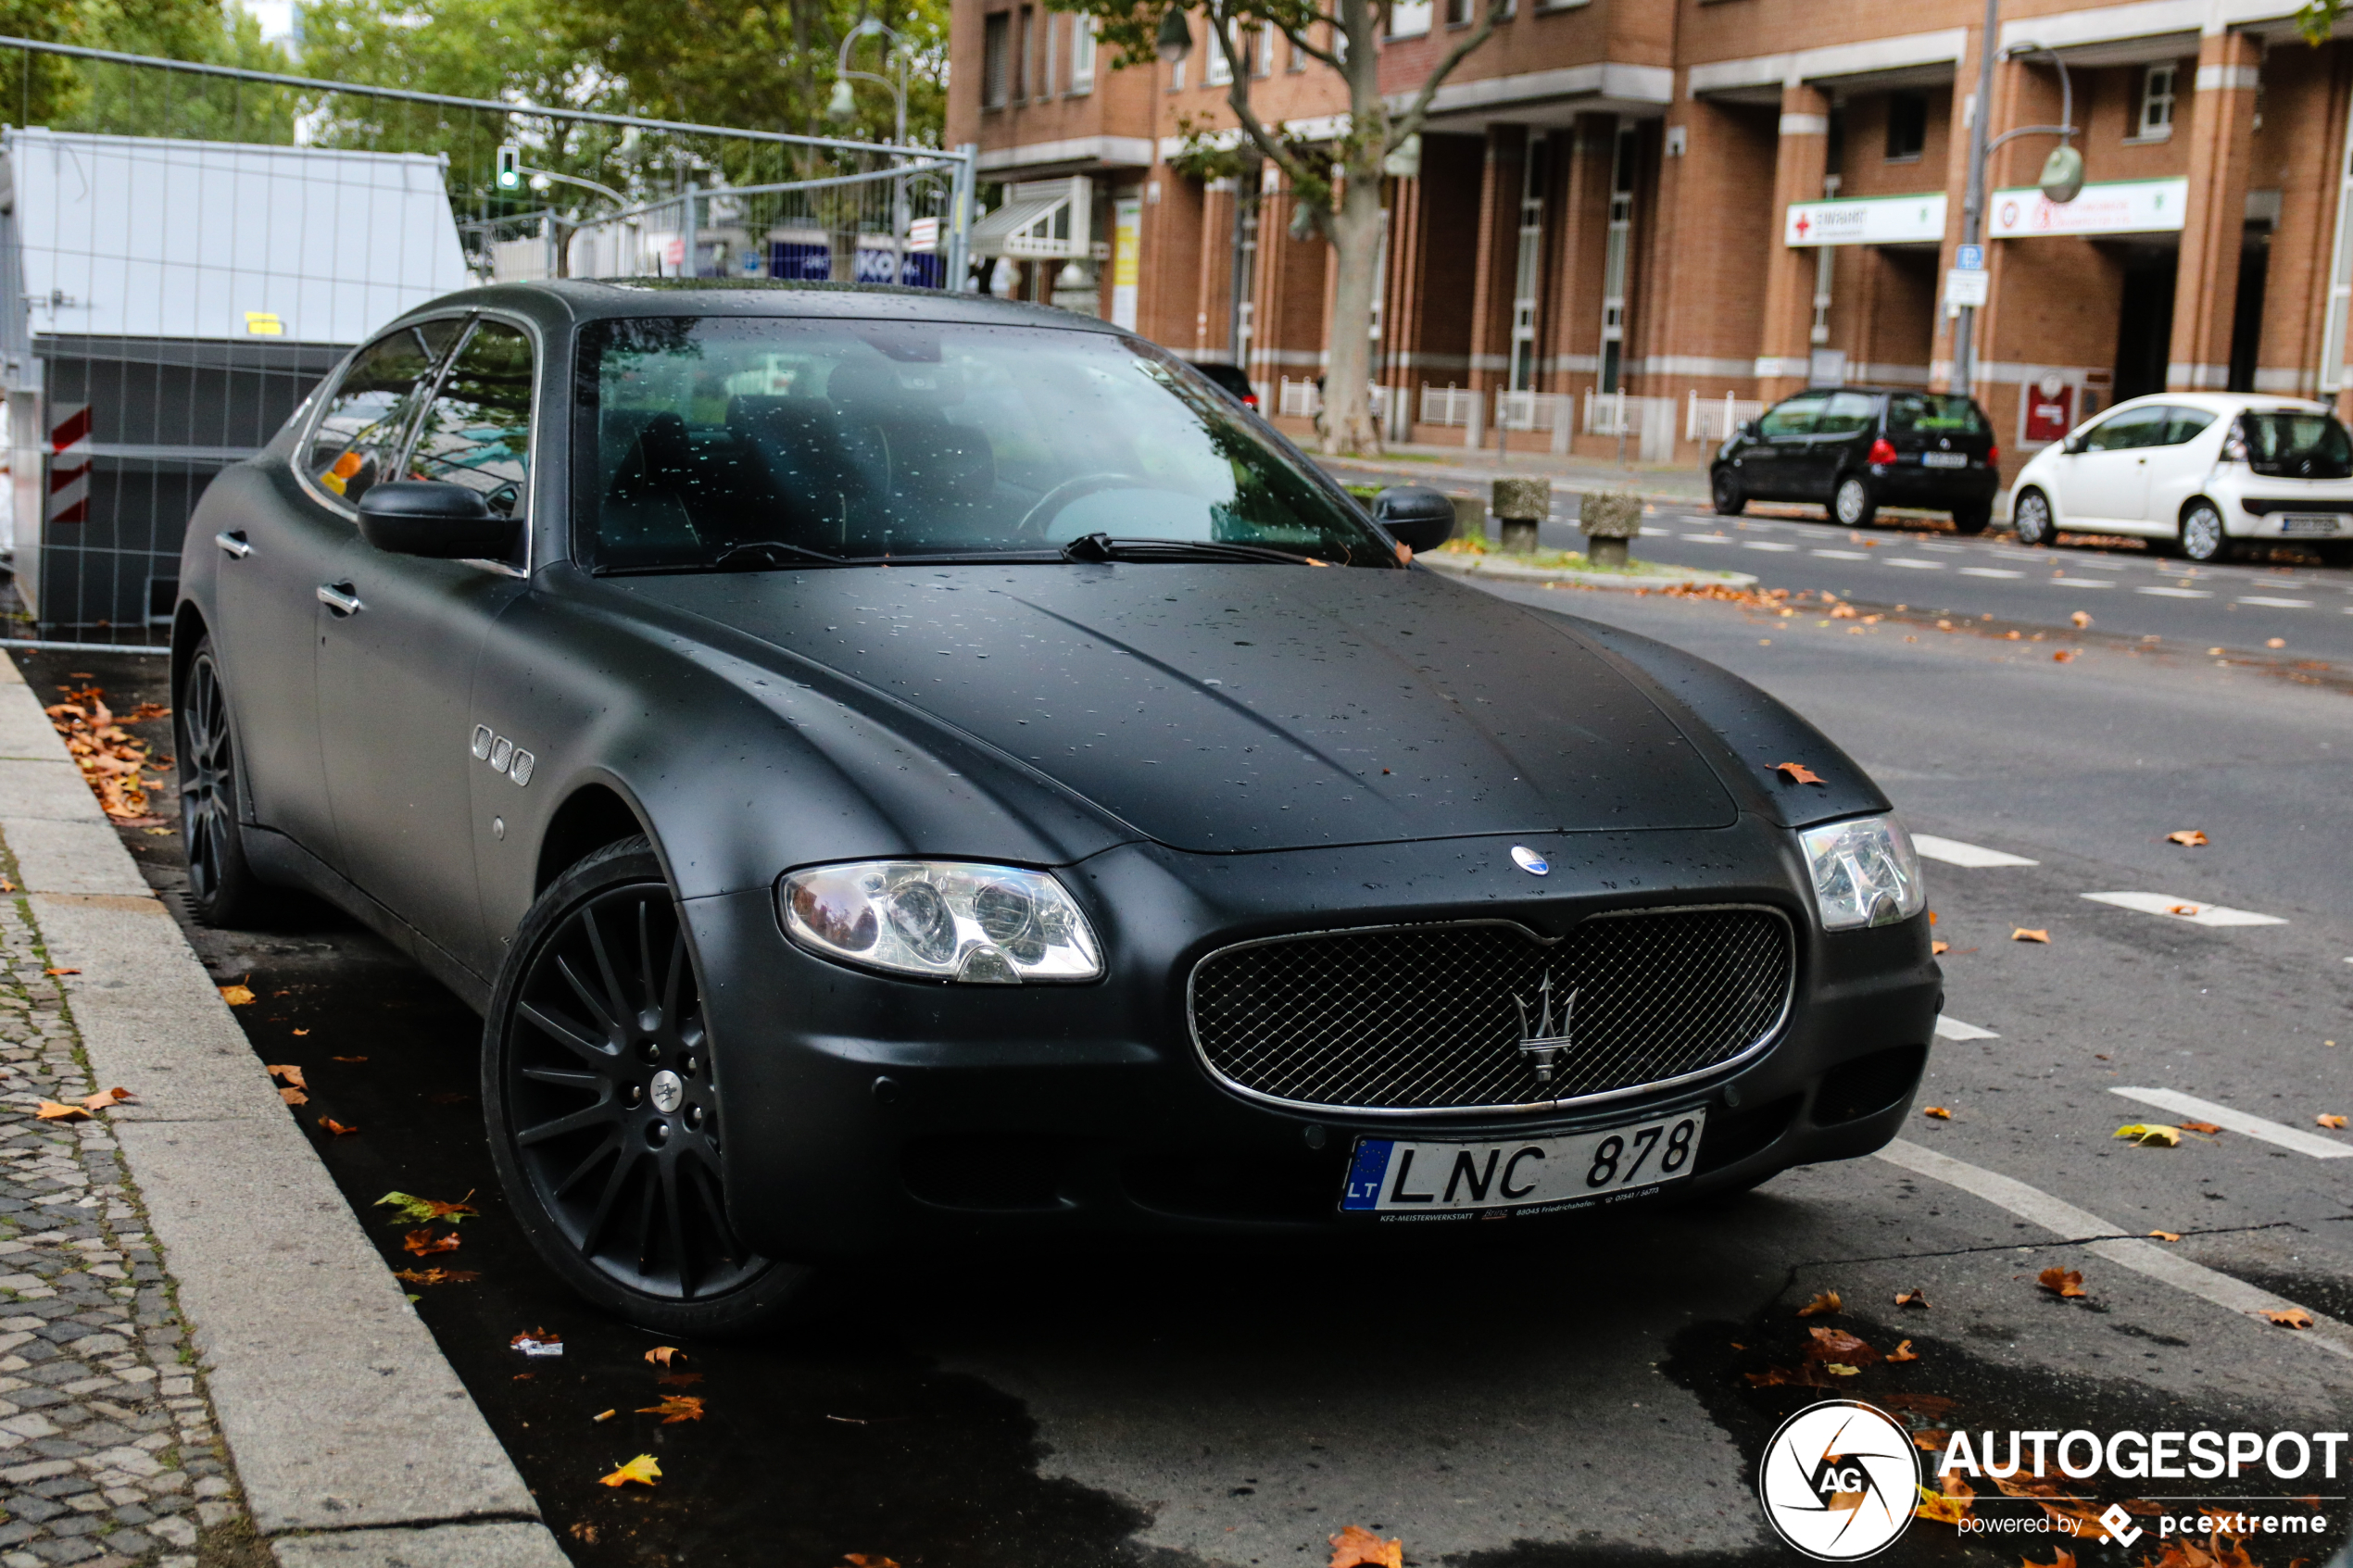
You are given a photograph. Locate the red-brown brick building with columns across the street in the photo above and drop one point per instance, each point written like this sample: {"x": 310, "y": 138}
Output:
{"x": 1637, "y": 217}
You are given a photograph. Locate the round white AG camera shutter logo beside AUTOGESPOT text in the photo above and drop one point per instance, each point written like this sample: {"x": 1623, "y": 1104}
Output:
{"x": 1839, "y": 1482}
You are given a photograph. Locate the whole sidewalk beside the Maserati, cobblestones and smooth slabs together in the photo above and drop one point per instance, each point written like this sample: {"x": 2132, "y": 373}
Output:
{"x": 204, "y": 1353}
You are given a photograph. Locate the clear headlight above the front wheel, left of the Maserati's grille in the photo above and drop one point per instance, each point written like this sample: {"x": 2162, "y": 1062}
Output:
{"x": 945, "y": 920}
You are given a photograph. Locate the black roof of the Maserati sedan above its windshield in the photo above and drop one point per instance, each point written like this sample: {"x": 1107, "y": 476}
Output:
{"x": 568, "y": 302}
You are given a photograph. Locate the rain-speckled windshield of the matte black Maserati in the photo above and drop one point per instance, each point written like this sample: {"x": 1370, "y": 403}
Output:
{"x": 867, "y": 441}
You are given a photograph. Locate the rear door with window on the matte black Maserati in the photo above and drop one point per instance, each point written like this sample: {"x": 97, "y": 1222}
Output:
{"x": 281, "y": 551}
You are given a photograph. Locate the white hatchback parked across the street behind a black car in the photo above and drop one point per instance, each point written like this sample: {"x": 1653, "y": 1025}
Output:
{"x": 2197, "y": 471}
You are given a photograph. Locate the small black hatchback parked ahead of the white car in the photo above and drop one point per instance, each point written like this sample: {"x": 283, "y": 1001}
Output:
{"x": 1858, "y": 450}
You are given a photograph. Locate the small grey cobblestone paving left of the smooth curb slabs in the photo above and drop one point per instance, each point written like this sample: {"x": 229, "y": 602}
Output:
{"x": 107, "y": 1445}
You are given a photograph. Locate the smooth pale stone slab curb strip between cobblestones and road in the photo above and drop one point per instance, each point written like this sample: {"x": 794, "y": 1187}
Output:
{"x": 349, "y": 1430}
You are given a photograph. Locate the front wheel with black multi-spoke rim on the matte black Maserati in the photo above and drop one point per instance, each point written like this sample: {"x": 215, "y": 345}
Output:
{"x": 604, "y": 1106}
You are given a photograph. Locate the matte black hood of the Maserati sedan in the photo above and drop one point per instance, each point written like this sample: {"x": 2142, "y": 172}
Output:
{"x": 1239, "y": 709}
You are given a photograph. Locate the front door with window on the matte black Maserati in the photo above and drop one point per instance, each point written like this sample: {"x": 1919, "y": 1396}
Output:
{"x": 399, "y": 645}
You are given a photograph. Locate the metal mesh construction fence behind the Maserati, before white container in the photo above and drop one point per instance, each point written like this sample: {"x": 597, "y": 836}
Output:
{"x": 187, "y": 250}
